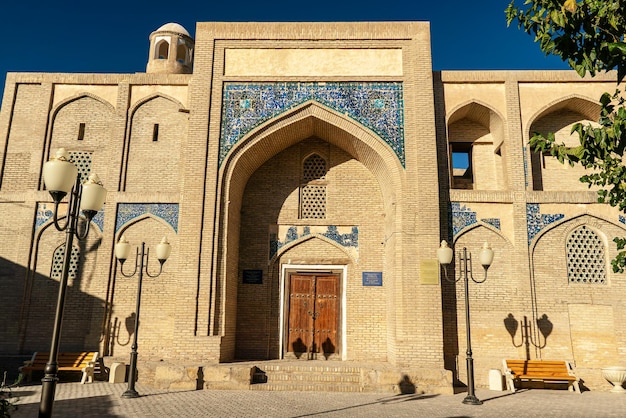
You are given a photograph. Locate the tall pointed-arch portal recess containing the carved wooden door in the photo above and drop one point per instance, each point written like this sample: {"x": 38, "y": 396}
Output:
{"x": 309, "y": 205}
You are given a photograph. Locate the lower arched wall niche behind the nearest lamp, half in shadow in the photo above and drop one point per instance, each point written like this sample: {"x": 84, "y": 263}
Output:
{"x": 83, "y": 306}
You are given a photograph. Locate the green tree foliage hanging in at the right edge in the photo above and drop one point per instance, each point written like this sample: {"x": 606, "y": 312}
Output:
{"x": 589, "y": 35}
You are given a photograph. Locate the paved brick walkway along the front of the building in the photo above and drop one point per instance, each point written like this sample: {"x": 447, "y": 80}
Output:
{"x": 102, "y": 399}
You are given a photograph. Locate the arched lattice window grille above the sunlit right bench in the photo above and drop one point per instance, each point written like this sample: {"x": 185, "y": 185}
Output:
{"x": 585, "y": 257}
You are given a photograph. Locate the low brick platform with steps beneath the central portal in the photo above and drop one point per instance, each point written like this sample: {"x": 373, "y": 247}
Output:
{"x": 294, "y": 375}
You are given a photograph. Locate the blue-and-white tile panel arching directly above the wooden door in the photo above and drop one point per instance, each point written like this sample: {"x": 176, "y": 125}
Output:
{"x": 346, "y": 236}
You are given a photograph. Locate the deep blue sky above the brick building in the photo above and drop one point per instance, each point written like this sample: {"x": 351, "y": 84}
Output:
{"x": 112, "y": 36}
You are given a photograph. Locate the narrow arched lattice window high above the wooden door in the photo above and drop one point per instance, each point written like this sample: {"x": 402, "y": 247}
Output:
{"x": 312, "y": 193}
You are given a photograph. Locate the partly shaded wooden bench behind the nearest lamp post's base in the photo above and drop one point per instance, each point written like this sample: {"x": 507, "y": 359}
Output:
{"x": 83, "y": 361}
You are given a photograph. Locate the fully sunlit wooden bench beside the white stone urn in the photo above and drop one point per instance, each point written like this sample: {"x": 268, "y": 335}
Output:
{"x": 539, "y": 371}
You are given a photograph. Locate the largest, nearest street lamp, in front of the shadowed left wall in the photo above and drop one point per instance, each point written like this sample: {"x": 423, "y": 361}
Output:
{"x": 61, "y": 177}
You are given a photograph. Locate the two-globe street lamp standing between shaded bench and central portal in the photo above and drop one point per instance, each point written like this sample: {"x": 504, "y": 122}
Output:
{"x": 122, "y": 251}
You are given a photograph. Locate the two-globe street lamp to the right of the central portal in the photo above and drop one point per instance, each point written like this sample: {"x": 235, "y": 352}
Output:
{"x": 485, "y": 256}
